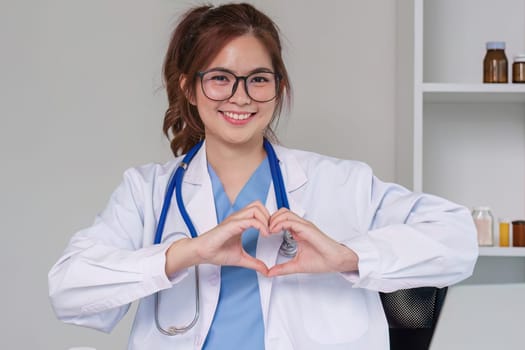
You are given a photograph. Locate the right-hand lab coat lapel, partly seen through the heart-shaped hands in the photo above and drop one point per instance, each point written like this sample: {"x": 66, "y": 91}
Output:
{"x": 268, "y": 248}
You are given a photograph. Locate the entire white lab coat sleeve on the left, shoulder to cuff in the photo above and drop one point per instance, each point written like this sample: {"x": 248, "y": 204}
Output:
{"x": 105, "y": 267}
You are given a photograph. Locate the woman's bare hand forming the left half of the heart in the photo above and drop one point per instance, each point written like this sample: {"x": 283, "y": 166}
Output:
{"x": 223, "y": 244}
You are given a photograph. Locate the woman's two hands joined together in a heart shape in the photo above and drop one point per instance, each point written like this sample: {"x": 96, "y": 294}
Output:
{"x": 316, "y": 252}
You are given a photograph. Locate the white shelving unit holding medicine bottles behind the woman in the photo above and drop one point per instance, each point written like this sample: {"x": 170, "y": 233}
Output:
{"x": 457, "y": 137}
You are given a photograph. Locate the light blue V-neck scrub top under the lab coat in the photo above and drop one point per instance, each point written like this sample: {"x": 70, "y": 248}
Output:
{"x": 238, "y": 321}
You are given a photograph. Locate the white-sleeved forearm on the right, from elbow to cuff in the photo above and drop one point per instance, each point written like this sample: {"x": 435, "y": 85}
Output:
{"x": 407, "y": 256}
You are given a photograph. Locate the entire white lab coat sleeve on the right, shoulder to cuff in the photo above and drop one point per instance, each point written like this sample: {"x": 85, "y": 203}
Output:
{"x": 410, "y": 239}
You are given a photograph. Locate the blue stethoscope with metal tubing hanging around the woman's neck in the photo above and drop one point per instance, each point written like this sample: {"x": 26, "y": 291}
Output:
{"x": 288, "y": 246}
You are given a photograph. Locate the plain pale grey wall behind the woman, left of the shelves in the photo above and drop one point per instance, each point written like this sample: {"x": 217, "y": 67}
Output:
{"x": 81, "y": 100}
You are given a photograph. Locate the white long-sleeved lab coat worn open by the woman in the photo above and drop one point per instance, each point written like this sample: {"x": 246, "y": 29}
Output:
{"x": 403, "y": 240}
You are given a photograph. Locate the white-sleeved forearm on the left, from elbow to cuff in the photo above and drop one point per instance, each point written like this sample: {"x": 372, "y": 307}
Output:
{"x": 92, "y": 278}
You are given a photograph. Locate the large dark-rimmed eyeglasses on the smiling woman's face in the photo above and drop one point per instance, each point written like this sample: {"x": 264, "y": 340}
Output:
{"x": 220, "y": 84}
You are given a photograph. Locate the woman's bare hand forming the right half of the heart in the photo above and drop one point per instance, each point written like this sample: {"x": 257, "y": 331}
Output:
{"x": 316, "y": 252}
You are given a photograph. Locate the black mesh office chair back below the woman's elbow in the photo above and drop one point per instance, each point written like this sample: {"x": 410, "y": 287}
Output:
{"x": 412, "y": 315}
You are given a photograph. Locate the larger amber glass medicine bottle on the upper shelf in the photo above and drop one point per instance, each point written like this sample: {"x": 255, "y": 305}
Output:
{"x": 495, "y": 64}
